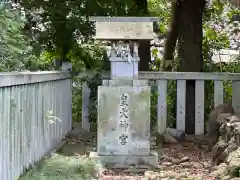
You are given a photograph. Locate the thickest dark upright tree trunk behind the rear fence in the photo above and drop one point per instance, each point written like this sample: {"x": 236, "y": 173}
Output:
{"x": 190, "y": 51}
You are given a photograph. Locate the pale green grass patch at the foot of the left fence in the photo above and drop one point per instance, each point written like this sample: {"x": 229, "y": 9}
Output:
{"x": 60, "y": 167}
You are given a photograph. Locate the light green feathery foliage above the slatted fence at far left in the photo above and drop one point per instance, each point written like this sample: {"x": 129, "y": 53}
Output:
{"x": 16, "y": 52}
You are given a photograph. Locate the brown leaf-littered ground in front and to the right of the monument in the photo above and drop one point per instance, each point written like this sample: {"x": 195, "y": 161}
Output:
{"x": 183, "y": 161}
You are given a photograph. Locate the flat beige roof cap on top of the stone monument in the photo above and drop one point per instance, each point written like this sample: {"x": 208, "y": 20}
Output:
{"x": 124, "y": 28}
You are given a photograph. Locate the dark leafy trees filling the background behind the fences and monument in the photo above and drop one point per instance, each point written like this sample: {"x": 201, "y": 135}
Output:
{"x": 43, "y": 31}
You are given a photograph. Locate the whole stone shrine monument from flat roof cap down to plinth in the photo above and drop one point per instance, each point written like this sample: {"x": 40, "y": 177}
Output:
{"x": 124, "y": 101}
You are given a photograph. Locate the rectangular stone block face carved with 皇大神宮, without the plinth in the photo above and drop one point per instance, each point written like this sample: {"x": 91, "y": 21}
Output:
{"x": 137, "y": 127}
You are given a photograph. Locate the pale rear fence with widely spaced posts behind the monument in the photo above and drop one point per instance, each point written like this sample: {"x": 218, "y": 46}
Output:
{"x": 162, "y": 79}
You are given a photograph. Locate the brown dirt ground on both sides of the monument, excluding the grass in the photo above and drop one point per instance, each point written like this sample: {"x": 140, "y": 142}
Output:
{"x": 177, "y": 161}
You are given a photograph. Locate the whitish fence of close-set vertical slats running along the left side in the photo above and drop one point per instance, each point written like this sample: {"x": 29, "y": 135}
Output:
{"x": 35, "y": 115}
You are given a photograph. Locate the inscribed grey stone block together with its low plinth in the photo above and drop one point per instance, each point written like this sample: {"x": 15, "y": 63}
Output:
{"x": 135, "y": 147}
